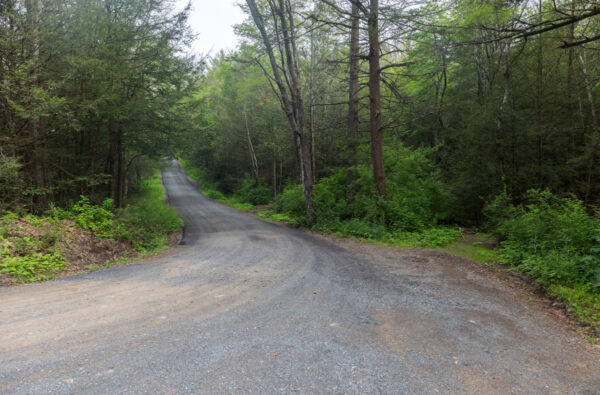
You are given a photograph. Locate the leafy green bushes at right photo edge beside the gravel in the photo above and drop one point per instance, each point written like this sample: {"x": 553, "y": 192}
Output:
{"x": 557, "y": 242}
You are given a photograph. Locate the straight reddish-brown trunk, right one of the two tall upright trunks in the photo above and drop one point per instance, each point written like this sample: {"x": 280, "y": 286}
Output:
{"x": 375, "y": 101}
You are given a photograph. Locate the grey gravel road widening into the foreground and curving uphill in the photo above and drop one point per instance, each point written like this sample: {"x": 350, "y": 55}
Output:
{"x": 247, "y": 306}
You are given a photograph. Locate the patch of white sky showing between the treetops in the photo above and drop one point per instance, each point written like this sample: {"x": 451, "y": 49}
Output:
{"x": 213, "y": 22}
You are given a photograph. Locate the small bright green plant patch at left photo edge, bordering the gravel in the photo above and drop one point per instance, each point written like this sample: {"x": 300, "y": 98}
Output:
{"x": 30, "y": 268}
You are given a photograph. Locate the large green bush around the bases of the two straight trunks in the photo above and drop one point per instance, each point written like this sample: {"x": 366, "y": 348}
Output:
{"x": 416, "y": 198}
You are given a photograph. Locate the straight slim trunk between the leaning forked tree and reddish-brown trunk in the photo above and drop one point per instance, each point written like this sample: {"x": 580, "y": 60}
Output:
{"x": 353, "y": 101}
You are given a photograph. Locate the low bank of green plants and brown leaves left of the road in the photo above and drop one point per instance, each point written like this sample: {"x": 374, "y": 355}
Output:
{"x": 33, "y": 248}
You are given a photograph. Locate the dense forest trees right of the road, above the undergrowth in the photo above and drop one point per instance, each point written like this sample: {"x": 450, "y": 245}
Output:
{"x": 491, "y": 96}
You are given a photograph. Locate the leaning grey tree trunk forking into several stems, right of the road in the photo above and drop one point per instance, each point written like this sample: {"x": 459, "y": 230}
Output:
{"x": 290, "y": 93}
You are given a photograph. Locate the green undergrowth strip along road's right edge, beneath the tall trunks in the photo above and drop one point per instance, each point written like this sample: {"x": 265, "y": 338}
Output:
{"x": 408, "y": 218}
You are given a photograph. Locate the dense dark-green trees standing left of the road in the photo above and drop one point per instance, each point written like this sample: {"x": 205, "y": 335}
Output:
{"x": 89, "y": 91}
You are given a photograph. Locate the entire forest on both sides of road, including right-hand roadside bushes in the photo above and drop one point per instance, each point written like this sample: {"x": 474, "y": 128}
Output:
{"x": 394, "y": 120}
